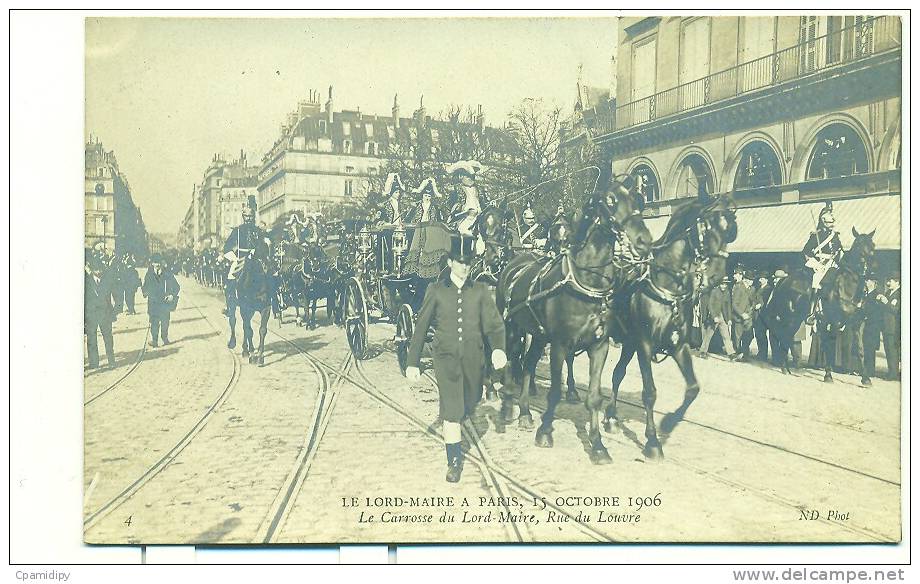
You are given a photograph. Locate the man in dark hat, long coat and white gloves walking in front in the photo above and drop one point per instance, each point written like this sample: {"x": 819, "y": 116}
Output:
{"x": 464, "y": 317}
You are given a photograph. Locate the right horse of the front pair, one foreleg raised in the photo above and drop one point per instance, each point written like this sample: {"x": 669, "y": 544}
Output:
{"x": 652, "y": 316}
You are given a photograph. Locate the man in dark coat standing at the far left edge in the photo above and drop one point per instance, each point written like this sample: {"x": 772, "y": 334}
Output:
{"x": 98, "y": 312}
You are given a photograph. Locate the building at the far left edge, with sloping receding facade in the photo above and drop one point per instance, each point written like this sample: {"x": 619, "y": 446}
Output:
{"x": 110, "y": 215}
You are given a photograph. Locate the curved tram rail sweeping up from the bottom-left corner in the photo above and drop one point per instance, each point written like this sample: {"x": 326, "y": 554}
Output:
{"x": 163, "y": 462}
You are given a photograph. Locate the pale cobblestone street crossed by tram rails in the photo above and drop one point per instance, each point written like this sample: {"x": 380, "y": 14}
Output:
{"x": 190, "y": 443}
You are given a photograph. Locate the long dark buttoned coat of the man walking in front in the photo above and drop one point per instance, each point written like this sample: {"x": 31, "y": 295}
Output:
{"x": 462, "y": 318}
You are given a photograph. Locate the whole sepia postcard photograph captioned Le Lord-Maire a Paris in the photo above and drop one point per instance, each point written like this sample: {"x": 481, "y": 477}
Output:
{"x": 513, "y": 279}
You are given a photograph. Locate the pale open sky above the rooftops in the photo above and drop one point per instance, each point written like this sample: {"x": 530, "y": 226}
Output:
{"x": 166, "y": 94}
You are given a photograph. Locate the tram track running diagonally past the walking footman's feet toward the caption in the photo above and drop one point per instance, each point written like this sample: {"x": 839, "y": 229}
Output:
{"x": 510, "y": 482}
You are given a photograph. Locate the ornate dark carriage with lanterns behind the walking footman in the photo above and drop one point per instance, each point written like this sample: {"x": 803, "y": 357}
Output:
{"x": 382, "y": 286}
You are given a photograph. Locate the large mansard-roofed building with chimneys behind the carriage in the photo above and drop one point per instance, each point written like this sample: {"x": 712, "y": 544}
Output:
{"x": 325, "y": 157}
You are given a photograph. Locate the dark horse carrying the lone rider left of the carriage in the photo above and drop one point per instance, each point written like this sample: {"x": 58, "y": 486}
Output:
{"x": 252, "y": 293}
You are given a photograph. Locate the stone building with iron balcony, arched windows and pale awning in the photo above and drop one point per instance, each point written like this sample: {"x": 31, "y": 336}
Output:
{"x": 782, "y": 112}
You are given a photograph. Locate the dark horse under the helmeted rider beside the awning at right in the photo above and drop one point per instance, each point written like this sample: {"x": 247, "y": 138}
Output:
{"x": 840, "y": 291}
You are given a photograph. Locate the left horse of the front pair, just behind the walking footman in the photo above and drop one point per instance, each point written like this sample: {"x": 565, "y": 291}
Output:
{"x": 564, "y": 300}
